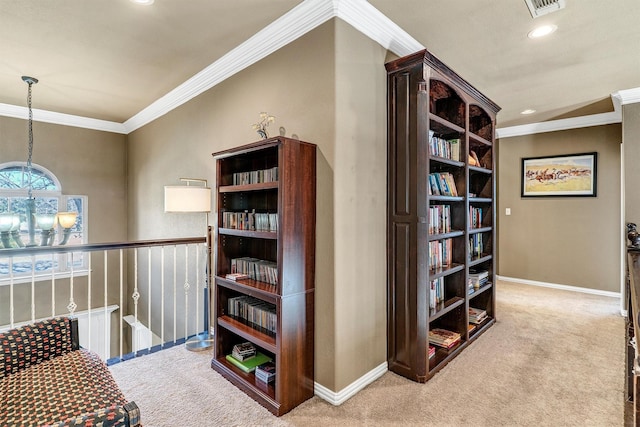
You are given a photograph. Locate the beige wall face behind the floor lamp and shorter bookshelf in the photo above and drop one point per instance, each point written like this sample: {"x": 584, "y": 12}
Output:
{"x": 297, "y": 85}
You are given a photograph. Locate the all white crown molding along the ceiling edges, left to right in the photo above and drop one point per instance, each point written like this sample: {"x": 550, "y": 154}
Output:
{"x": 303, "y": 18}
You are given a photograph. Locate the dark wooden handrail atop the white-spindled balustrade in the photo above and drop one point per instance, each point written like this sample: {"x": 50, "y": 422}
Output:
{"x": 35, "y": 250}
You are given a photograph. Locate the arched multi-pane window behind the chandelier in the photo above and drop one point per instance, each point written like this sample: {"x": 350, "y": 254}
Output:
{"x": 46, "y": 192}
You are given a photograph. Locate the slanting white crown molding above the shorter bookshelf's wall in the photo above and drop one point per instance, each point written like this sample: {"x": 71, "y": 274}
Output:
{"x": 298, "y": 21}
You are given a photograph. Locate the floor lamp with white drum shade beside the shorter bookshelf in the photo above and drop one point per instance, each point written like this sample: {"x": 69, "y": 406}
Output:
{"x": 194, "y": 198}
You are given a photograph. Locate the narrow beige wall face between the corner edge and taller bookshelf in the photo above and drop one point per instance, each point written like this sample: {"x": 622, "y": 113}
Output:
{"x": 360, "y": 199}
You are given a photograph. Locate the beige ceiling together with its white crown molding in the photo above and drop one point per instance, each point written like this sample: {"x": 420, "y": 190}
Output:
{"x": 122, "y": 64}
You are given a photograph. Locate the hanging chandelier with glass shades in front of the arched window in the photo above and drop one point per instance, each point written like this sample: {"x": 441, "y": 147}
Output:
{"x": 11, "y": 223}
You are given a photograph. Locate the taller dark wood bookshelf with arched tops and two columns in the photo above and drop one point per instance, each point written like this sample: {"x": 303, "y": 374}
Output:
{"x": 441, "y": 230}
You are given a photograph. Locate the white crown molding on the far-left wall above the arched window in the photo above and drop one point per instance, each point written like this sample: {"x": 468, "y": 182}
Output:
{"x": 45, "y": 116}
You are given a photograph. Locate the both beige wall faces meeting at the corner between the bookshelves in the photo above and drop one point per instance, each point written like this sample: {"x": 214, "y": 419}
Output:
{"x": 329, "y": 88}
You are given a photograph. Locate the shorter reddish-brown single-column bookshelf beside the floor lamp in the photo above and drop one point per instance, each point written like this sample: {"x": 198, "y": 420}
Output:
{"x": 265, "y": 228}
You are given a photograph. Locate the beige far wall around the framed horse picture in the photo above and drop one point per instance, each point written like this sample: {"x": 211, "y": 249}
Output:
{"x": 561, "y": 240}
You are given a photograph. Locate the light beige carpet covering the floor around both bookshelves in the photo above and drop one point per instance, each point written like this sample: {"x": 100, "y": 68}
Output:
{"x": 554, "y": 358}
